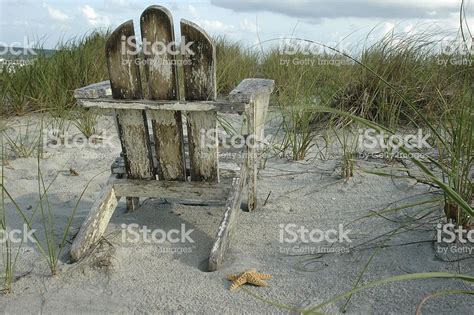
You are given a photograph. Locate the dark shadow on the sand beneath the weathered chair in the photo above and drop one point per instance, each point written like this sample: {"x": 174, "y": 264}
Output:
{"x": 200, "y": 223}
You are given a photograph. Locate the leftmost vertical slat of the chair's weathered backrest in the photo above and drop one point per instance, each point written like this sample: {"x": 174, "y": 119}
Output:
{"x": 126, "y": 84}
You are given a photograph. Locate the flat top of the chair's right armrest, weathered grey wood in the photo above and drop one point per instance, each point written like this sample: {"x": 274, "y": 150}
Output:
{"x": 249, "y": 89}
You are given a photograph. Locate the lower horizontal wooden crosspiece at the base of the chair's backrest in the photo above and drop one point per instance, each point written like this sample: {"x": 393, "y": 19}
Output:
{"x": 196, "y": 191}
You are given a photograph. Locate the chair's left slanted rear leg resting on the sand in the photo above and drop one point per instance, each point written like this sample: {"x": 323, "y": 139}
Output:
{"x": 96, "y": 223}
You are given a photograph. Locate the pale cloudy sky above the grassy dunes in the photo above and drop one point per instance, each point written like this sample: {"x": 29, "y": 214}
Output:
{"x": 23, "y": 22}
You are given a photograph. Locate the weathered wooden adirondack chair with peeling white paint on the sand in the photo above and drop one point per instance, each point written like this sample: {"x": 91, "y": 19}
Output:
{"x": 154, "y": 162}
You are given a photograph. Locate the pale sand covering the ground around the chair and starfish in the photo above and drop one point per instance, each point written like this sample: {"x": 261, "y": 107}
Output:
{"x": 144, "y": 278}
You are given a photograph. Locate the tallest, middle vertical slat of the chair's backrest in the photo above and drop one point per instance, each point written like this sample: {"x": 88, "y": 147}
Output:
{"x": 157, "y": 32}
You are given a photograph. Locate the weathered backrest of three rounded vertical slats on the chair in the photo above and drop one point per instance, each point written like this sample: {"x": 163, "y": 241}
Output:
{"x": 160, "y": 66}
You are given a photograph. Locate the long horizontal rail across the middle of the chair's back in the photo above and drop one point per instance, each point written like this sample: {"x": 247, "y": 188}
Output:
{"x": 219, "y": 106}
